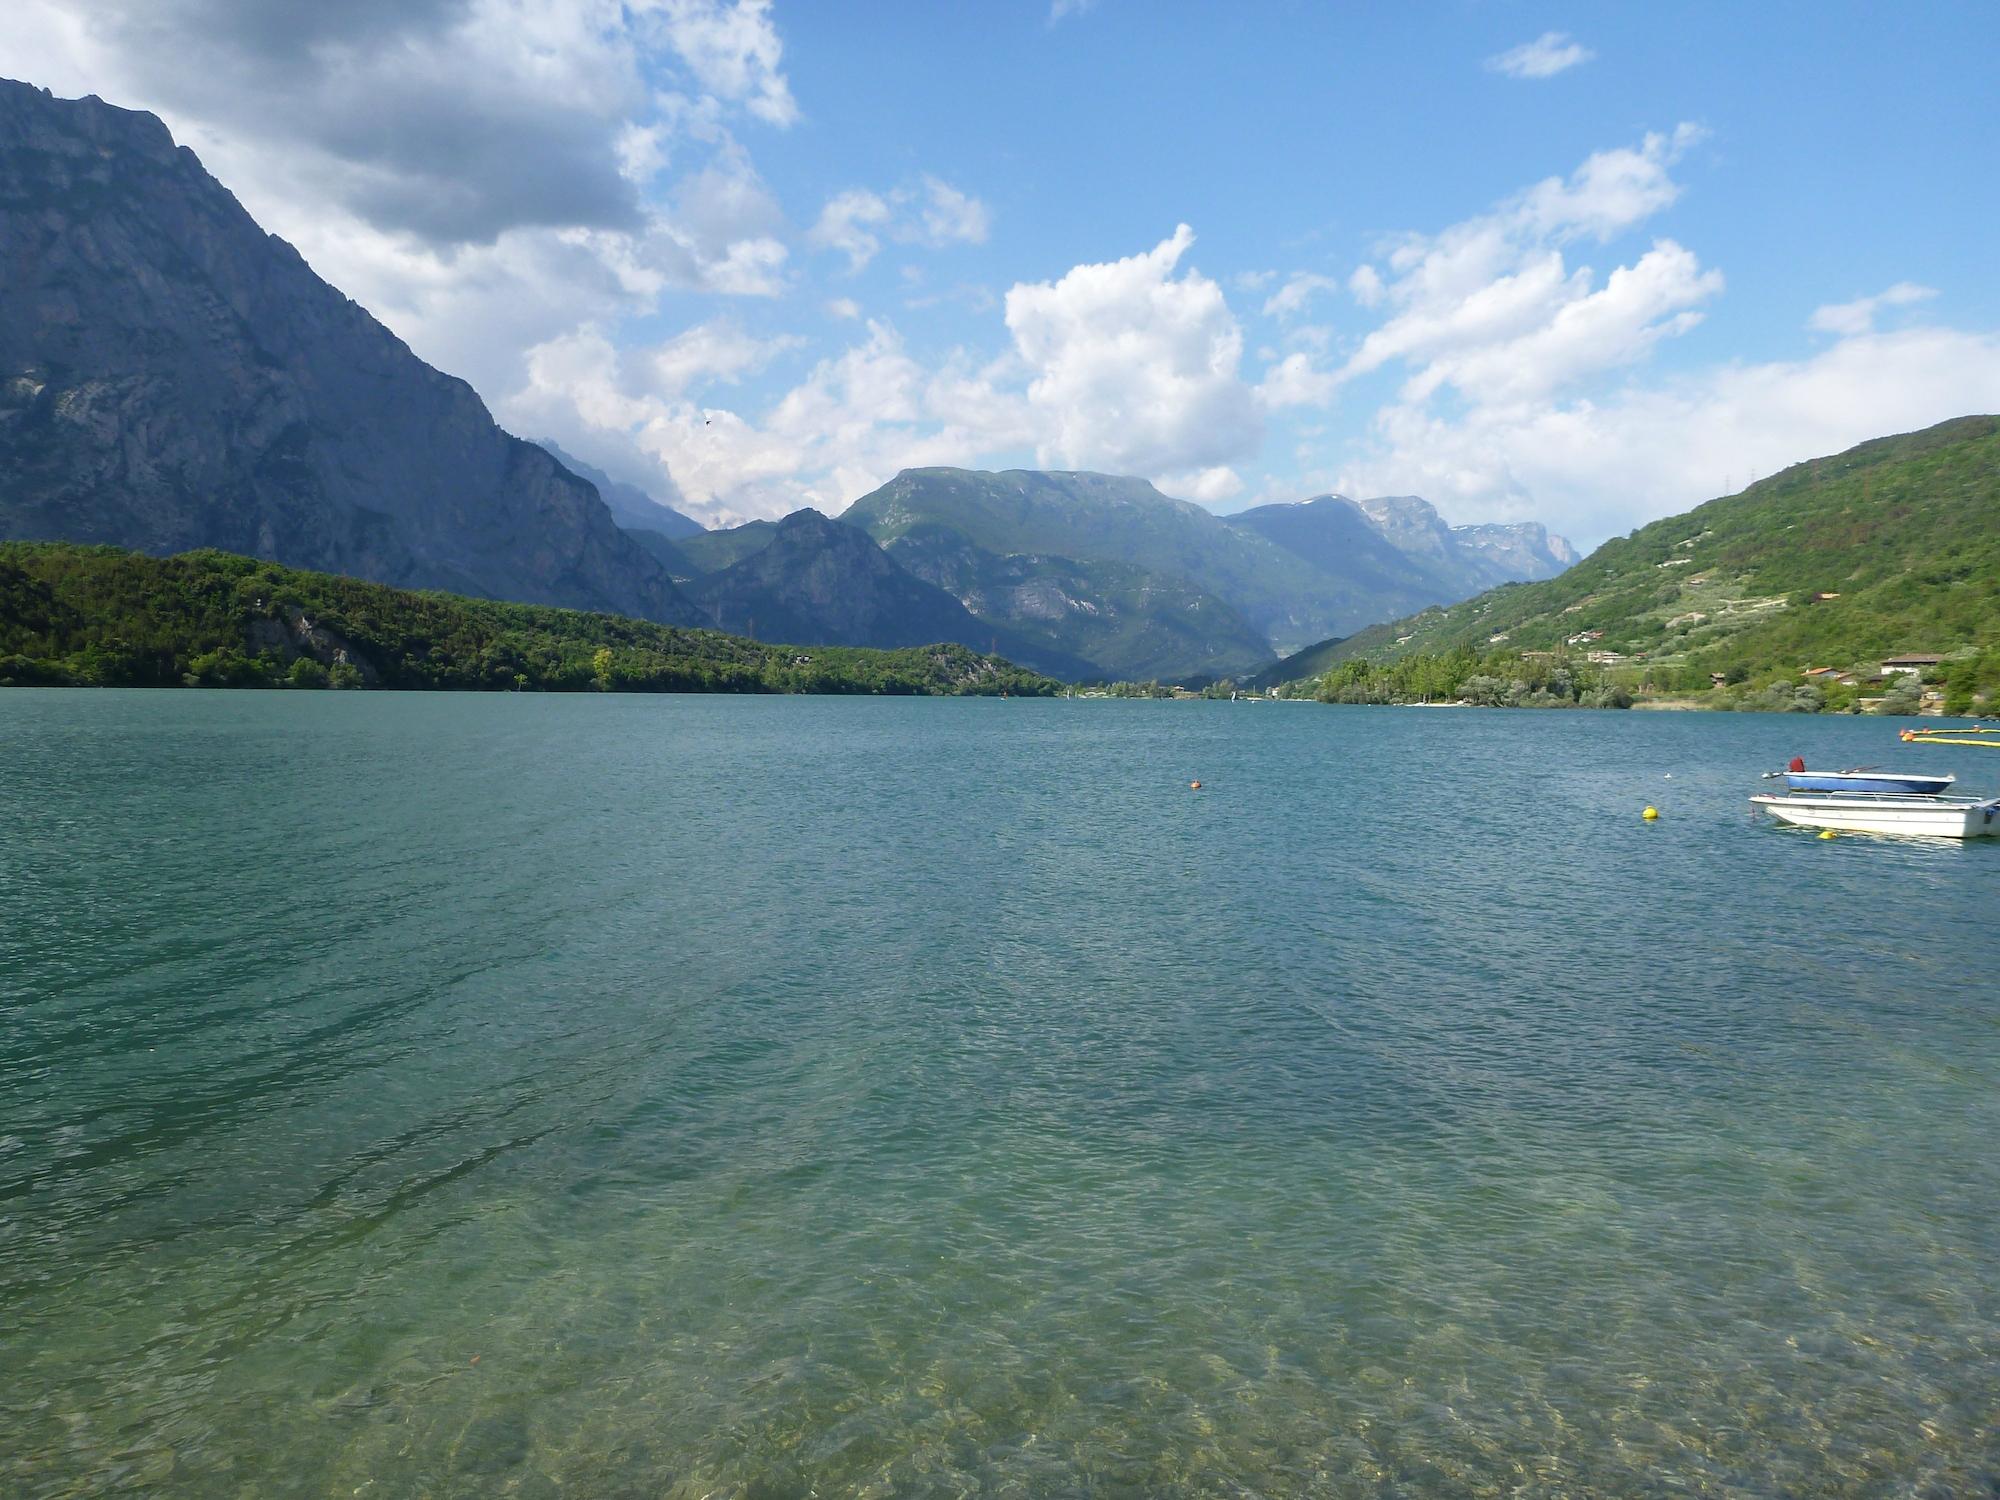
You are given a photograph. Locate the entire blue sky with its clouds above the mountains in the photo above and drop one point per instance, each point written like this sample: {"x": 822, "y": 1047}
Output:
{"x": 757, "y": 257}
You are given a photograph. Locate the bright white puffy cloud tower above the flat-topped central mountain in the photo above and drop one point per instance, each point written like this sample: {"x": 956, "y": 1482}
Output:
{"x": 1133, "y": 367}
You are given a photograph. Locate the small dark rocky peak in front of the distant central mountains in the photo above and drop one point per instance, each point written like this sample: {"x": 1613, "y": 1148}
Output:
{"x": 817, "y": 583}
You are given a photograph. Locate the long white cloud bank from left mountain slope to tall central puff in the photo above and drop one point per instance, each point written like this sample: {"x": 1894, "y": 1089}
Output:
{"x": 1129, "y": 367}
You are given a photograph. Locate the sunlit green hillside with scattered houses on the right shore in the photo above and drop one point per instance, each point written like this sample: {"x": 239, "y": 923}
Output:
{"x": 1887, "y": 549}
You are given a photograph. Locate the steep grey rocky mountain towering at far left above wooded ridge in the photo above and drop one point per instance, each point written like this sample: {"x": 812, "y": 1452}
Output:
{"x": 171, "y": 377}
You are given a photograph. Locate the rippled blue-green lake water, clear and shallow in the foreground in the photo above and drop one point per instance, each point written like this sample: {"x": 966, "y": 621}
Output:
{"x": 709, "y": 1097}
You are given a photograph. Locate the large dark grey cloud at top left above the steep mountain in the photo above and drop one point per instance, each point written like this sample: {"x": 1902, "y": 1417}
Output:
{"x": 453, "y": 121}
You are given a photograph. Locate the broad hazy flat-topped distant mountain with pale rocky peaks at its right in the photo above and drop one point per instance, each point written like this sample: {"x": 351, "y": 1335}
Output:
{"x": 1123, "y": 575}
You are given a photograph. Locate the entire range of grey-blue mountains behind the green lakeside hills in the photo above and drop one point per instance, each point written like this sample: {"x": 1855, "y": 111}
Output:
{"x": 171, "y": 377}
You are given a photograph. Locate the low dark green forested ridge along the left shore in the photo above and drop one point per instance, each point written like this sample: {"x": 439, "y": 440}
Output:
{"x": 105, "y": 617}
